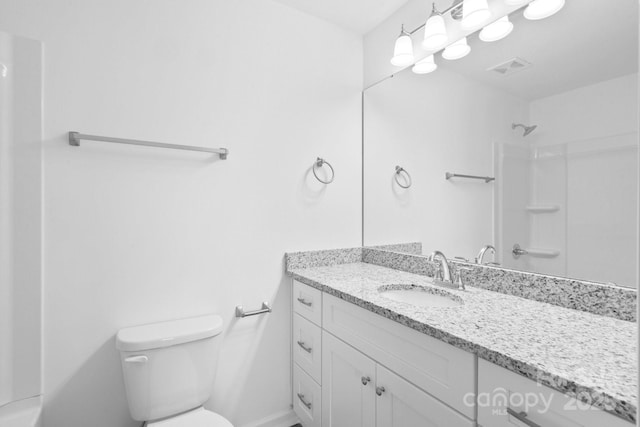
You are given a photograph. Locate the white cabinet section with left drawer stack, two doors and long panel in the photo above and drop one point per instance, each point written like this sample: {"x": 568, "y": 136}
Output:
{"x": 374, "y": 372}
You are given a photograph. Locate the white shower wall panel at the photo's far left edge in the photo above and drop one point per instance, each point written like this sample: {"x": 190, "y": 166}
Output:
{"x": 20, "y": 217}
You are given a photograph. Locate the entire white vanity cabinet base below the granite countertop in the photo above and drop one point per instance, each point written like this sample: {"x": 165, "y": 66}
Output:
{"x": 355, "y": 368}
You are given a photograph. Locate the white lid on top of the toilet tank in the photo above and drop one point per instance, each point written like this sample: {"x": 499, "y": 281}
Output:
{"x": 166, "y": 334}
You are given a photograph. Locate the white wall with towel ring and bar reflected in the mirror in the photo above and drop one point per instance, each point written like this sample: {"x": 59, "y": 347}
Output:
{"x": 433, "y": 124}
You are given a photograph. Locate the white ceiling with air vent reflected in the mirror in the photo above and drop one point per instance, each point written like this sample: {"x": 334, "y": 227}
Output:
{"x": 586, "y": 42}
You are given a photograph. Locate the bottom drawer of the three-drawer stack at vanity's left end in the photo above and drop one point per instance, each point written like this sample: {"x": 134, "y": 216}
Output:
{"x": 307, "y": 398}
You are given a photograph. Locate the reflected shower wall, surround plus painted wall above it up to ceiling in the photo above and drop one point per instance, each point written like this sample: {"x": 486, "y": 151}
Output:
{"x": 579, "y": 172}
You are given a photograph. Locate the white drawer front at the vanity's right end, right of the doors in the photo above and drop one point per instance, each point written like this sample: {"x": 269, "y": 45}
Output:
{"x": 500, "y": 389}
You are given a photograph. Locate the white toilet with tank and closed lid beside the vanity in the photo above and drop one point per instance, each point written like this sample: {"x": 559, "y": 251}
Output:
{"x": 169, "y": 369}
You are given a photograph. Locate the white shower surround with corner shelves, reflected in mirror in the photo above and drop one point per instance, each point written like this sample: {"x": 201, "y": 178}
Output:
{"x": 569, "y": 202}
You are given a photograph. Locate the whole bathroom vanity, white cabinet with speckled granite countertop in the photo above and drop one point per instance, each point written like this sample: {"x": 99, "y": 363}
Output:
{"x": 363, "y": 356}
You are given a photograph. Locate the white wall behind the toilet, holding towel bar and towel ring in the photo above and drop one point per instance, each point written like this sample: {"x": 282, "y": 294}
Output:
{"x": 136, "y": 235}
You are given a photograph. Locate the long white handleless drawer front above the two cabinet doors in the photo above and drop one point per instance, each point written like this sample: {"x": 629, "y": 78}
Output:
{"x": 434, "y": 366}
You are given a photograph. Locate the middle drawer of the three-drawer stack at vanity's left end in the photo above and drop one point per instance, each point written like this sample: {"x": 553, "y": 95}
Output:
{"x": 307, "y": 347}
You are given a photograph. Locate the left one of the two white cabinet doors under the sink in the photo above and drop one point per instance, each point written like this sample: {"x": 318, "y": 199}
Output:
{"x": 348, "y": 385}
